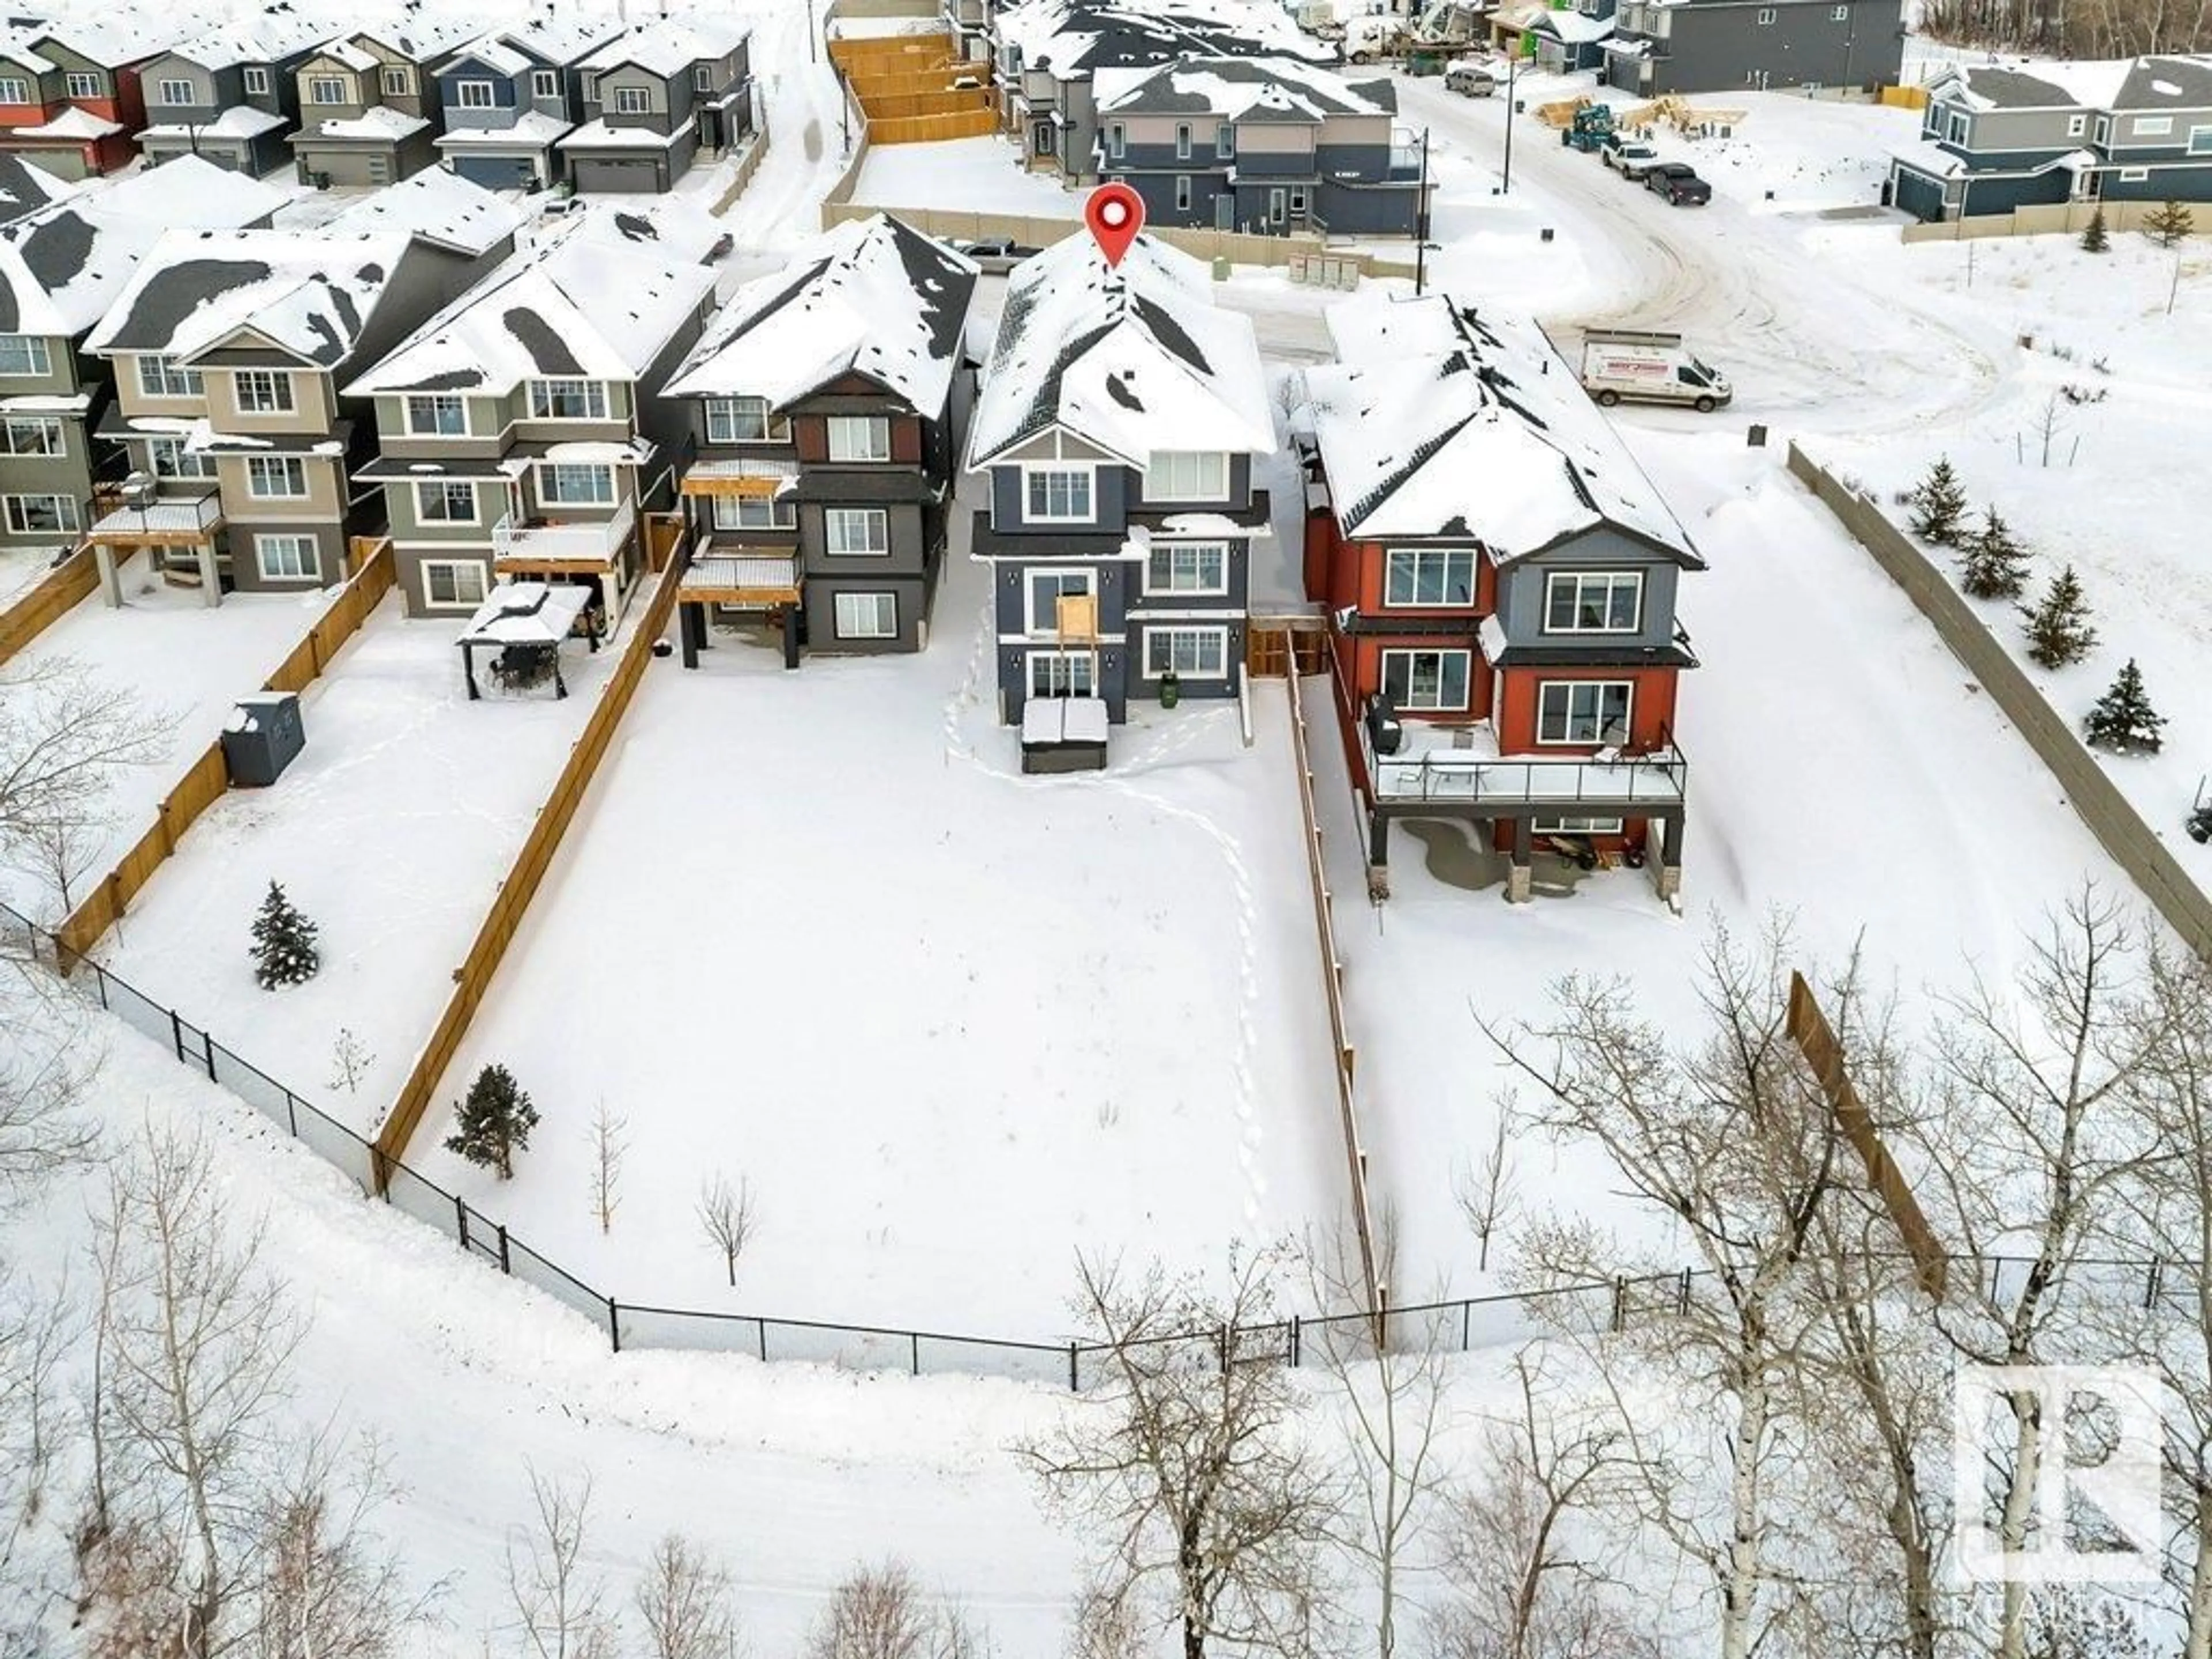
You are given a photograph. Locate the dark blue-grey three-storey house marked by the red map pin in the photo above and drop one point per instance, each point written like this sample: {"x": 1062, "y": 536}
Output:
{"x": 1116, "y": 426}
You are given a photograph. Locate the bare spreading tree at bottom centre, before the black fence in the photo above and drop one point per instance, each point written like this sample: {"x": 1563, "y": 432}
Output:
{"x": 1185, "y": 1457}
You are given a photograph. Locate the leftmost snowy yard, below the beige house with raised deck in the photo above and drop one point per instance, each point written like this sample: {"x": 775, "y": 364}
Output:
{"x": 180, "y": 662}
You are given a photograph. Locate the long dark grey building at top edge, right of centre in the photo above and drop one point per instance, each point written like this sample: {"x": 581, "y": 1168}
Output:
{"x": 1724, "y": 45}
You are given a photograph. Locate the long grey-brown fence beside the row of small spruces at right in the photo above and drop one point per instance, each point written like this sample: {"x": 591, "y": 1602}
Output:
{"x": 2109, "y": 815}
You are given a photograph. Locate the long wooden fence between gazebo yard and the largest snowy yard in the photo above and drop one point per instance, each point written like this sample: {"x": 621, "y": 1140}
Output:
{"x": 474, "y": 977}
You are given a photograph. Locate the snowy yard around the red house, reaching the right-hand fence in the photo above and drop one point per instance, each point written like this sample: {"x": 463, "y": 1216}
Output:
{"x": 1841, "y": 773}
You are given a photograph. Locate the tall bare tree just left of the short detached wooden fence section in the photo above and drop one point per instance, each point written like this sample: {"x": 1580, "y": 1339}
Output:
{"x": 1735, "y": 1145}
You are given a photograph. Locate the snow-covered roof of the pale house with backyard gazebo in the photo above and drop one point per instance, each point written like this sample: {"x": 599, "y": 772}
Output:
{"x": 572, "y": 309}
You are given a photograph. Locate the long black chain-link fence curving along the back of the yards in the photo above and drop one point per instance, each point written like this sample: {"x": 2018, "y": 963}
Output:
{"x": 1459, "y": 1326}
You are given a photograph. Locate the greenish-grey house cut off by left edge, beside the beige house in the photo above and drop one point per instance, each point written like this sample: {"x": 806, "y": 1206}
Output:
{"x": 59, "y": 273}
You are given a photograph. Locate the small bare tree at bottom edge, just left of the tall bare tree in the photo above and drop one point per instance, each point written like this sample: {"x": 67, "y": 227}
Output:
{"x": 1516, "y": 1583}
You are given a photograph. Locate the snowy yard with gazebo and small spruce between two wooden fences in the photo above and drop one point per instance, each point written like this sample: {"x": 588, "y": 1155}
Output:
{"x": 390, "y": 831}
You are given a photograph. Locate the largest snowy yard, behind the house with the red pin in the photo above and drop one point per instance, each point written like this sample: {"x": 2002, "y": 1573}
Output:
{"x": 952, "y": 1025}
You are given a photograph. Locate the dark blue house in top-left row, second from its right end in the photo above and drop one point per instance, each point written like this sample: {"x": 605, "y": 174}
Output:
{"x": 510, "y": 98}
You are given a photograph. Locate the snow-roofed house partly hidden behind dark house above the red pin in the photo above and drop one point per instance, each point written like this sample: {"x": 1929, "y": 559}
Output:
{"x": 1047, "y": 54}
